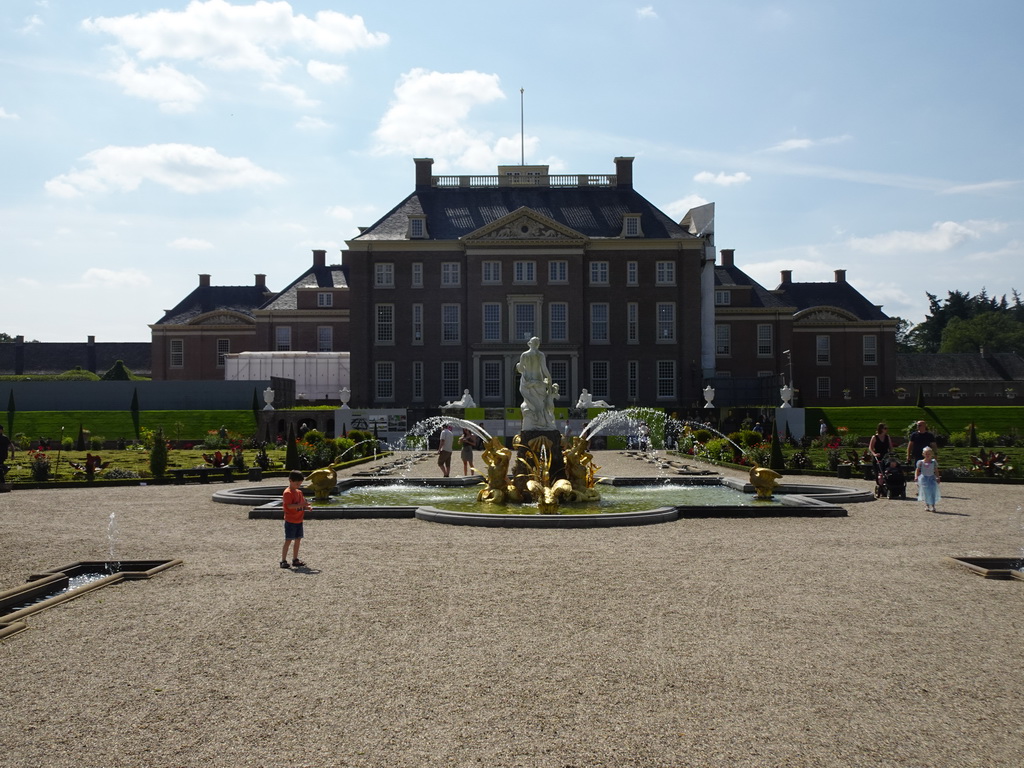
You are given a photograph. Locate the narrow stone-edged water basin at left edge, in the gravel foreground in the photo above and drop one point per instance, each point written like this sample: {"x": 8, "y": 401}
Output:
{"x": 50, "y": 588}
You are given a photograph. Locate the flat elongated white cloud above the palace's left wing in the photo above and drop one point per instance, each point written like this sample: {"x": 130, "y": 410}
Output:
{"x": 184, "y": 168}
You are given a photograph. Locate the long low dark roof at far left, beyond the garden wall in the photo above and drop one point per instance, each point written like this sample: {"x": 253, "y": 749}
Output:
{"x": 58, "y": 357}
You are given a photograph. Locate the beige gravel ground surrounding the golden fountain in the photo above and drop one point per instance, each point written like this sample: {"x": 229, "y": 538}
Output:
{"x": 713, "y": 643}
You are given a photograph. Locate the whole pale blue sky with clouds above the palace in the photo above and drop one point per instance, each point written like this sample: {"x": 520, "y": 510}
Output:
{"x": 143, "y": 144}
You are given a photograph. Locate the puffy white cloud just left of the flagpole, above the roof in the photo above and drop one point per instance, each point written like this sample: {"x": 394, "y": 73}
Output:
{"x": 428, "y": 118}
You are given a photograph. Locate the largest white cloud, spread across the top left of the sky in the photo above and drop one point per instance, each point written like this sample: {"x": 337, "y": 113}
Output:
{"x": 257, "y": 38}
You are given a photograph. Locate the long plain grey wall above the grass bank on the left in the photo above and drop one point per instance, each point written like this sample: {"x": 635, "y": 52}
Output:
{"x": 117, "y": 396}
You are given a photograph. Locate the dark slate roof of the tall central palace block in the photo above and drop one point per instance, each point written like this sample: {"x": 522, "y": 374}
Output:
{"x": 592, "y": 211}
